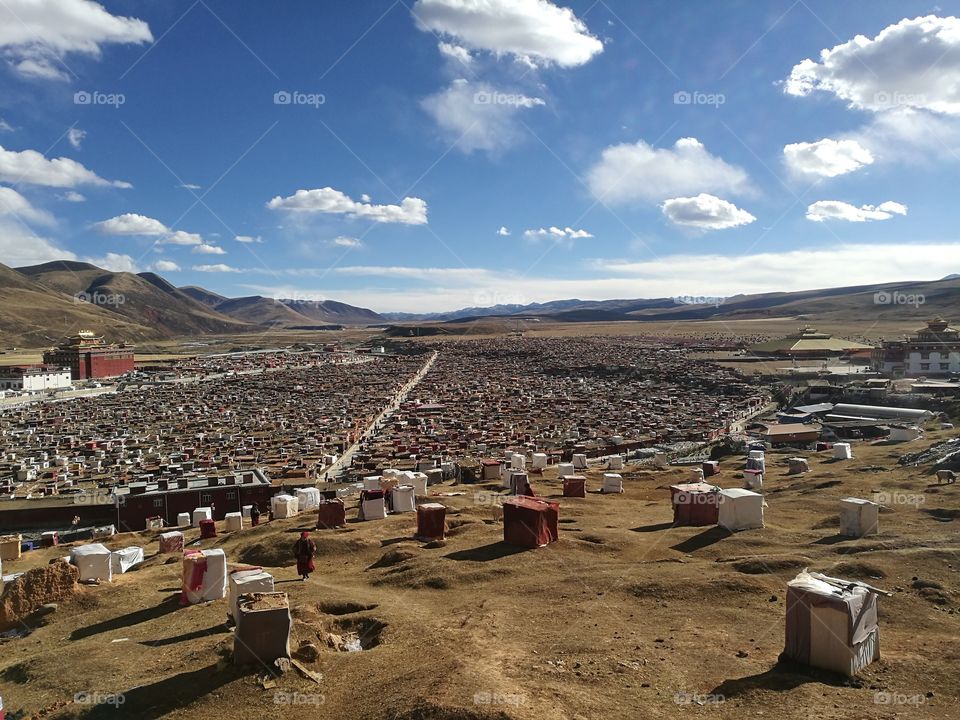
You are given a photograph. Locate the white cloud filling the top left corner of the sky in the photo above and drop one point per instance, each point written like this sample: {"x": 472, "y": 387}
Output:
{"x": 36, "y": 35}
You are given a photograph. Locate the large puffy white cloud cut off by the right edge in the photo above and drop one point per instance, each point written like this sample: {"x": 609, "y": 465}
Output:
{"x": 913, "y": 63}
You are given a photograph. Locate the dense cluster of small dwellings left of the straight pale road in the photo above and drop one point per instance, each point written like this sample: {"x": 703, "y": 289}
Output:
{"x": 288, "y": 415}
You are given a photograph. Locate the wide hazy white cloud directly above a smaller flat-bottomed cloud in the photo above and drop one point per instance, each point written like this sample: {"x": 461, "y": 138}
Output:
{"x": 631, "y": 172}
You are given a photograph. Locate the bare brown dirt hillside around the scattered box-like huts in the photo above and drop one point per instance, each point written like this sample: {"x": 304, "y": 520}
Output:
{"x": 624, "y": 617}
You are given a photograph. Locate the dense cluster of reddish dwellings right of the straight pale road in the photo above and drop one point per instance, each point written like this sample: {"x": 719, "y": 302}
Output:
{"x": 591, "y": 395}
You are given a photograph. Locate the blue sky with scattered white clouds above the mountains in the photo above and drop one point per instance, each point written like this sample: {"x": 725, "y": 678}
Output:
{"x": 431, "y": 155}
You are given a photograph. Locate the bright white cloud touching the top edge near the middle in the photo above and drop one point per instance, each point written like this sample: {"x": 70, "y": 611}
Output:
{"x": 533, "y": 31}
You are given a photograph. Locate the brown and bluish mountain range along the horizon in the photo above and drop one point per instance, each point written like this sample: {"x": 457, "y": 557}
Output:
{"x": 42, "y": 303}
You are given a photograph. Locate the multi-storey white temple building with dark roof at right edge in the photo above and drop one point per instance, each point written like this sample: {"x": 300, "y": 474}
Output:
{"x": 933, "y": 350}
